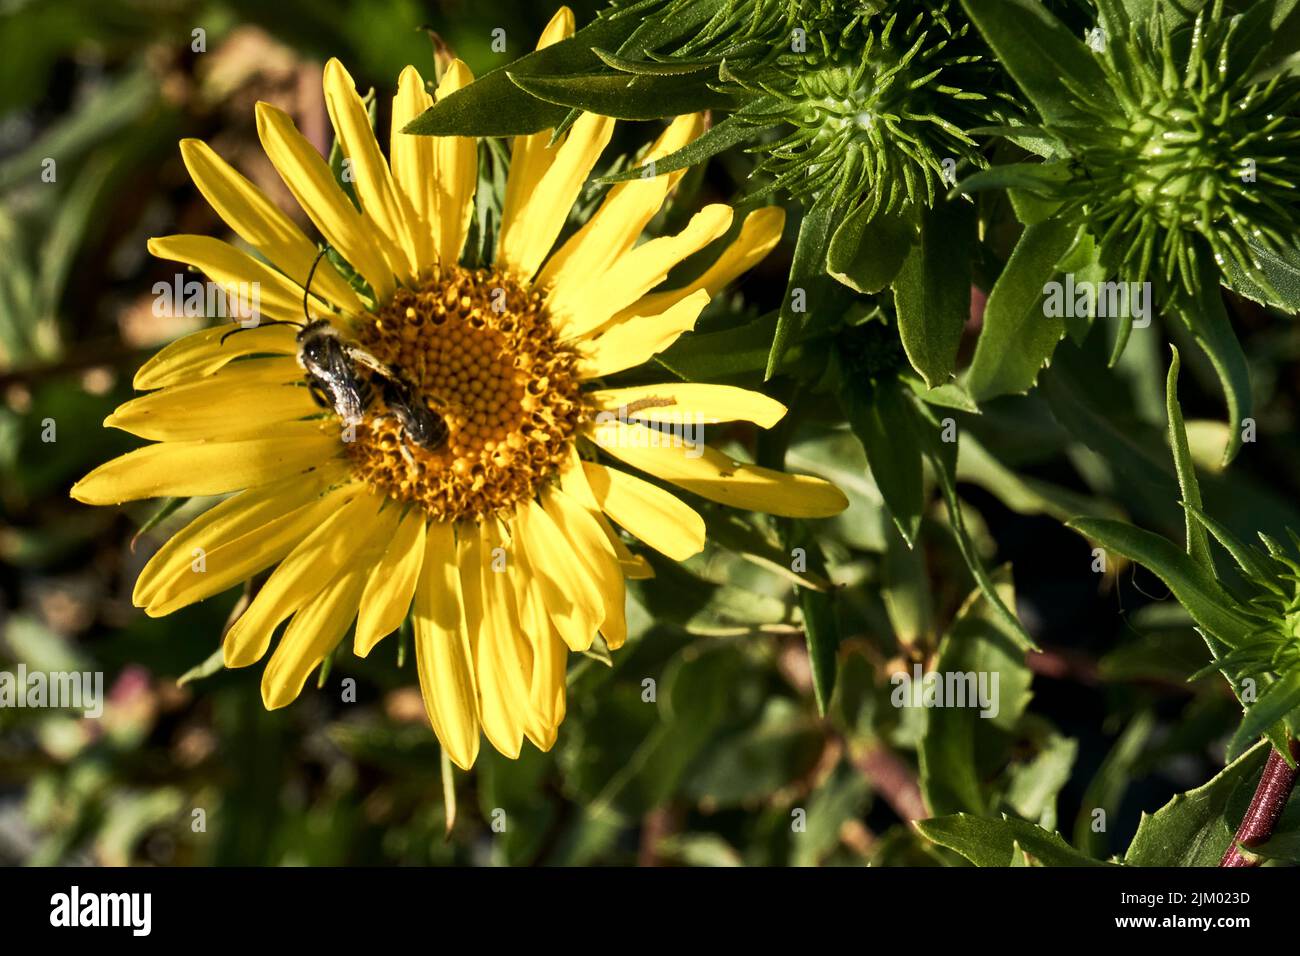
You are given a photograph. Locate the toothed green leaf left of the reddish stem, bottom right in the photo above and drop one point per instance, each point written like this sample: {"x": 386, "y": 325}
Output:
{"x": 1194, "y": 829}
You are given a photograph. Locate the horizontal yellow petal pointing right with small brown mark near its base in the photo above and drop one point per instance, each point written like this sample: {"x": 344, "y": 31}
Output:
{"x": 690, "y": 403}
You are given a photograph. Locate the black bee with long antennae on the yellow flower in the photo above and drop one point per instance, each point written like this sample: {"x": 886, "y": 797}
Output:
{"x": 333, "y": 369}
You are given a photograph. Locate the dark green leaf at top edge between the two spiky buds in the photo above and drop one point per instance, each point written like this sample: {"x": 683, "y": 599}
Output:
{"x": 1041, "y": 53}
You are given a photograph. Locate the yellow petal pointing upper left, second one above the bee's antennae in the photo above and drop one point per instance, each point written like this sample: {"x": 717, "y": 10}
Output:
{"x": 259, "y": 223}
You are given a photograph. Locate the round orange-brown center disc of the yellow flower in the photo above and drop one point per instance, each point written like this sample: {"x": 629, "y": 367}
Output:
{"x": 480, "y": 352}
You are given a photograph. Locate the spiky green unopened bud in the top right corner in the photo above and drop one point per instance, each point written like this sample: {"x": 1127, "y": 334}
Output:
{"x": 1199, "y": 155}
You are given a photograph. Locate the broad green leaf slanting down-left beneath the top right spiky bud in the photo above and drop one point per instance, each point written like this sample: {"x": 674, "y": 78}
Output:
{"x": 1019, "y": 339}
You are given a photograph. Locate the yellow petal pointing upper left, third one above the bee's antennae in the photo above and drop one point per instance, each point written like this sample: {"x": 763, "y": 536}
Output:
{"x": 313, "y": 184}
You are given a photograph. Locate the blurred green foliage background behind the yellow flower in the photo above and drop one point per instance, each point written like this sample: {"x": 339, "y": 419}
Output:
{"x": 703, "y": 742}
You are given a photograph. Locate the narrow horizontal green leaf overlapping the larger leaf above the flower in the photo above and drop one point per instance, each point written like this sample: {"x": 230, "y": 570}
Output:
{"x": 625, "y": 97}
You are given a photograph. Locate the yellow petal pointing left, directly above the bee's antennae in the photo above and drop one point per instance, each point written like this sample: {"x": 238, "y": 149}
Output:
{"x": 255, "y": 291}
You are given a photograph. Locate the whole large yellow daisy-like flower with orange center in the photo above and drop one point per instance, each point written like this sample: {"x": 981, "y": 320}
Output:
{"x": 500, "y": 540}
